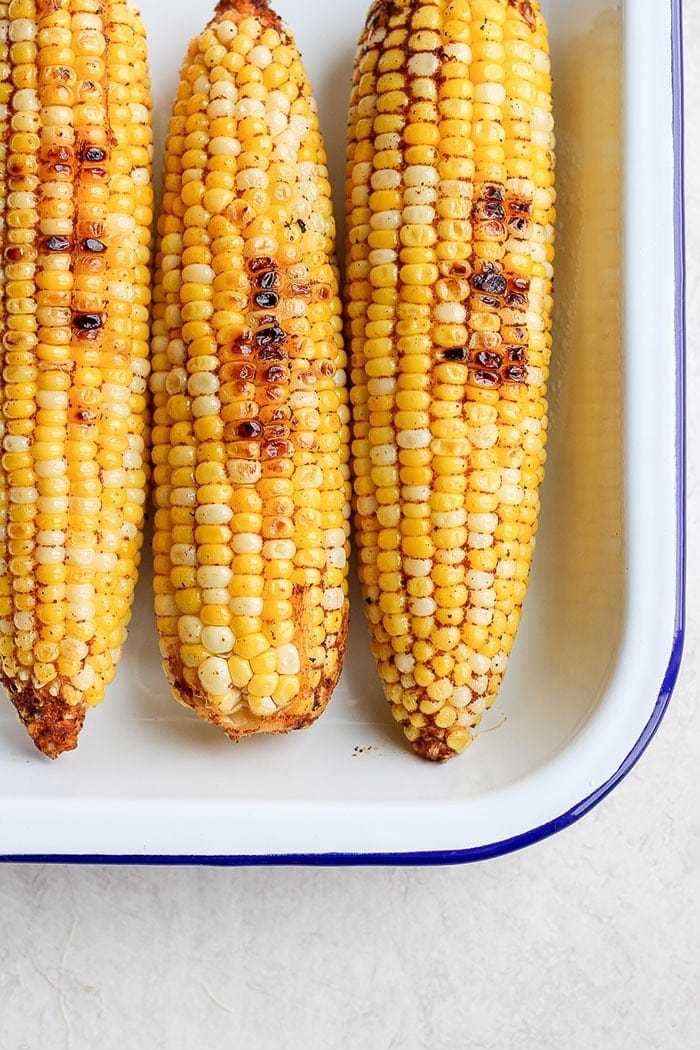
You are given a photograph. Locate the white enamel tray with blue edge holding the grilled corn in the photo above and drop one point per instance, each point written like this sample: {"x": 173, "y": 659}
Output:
{"x": 600, "y": 646}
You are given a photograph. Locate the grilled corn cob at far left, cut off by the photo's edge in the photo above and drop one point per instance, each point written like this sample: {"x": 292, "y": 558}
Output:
{"x": 75, "y": 237}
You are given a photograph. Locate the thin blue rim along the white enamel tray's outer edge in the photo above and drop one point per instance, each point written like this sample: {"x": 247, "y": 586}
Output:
{"x": 568, "y": 818}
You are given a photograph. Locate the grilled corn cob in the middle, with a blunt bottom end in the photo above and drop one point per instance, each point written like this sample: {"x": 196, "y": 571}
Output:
{"x": 251, "y": 437}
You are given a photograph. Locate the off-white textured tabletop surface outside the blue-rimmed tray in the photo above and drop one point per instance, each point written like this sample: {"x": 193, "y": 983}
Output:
{"x": 589, "y": 940}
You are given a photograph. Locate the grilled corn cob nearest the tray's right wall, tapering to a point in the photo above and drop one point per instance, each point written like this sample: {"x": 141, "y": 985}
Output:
{"x": 451, "y": 212}
